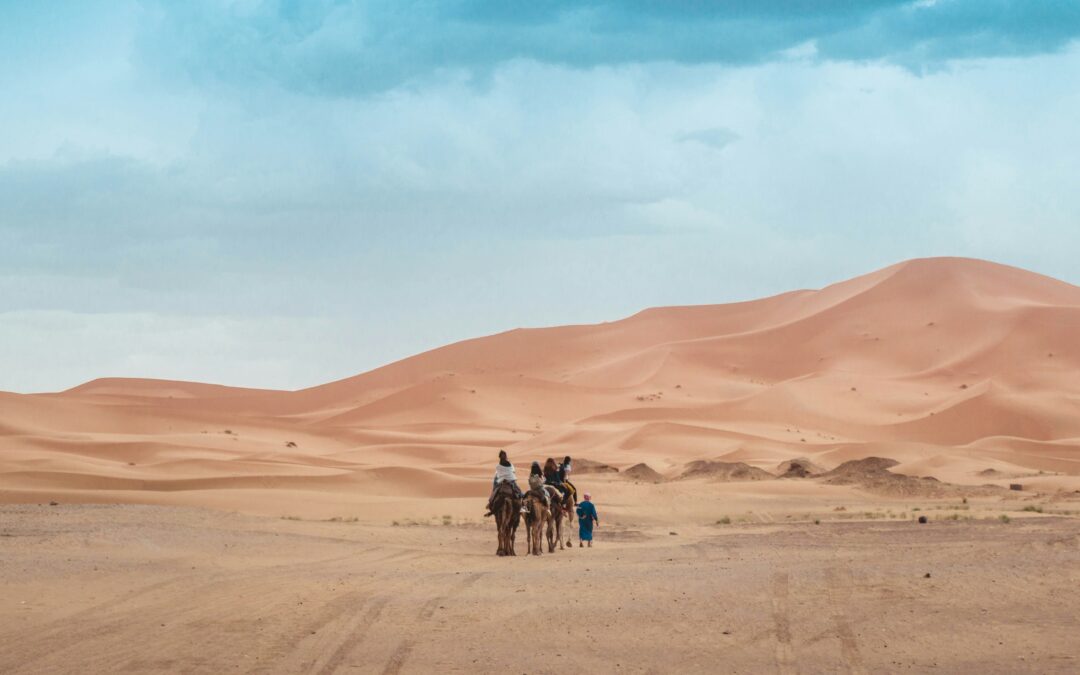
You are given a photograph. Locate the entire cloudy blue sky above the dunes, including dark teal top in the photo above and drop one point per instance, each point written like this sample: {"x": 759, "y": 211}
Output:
{"x": 281, "y": 194}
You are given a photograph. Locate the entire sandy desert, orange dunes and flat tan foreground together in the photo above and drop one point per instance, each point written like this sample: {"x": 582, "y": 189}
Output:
{"x": 790, "y": 442}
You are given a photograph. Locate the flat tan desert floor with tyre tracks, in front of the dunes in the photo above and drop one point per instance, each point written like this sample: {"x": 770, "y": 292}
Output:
{"x": 126, "y": 588}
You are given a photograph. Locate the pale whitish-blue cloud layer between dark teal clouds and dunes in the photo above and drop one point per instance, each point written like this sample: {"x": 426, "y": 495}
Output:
{"x": 268, "y": 237}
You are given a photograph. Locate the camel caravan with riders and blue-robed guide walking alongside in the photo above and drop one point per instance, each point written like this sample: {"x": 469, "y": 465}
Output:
{"x": 551, "y": 502}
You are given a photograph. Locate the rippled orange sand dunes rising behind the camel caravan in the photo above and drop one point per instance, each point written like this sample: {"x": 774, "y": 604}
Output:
{"x": 949, "y": 367}
